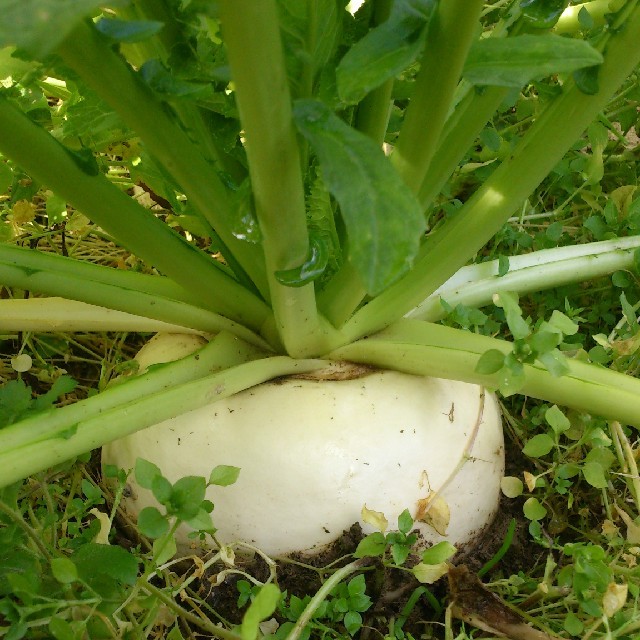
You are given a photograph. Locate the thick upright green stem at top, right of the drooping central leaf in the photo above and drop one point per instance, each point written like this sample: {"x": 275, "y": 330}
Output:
{"x": 451, "y": 33}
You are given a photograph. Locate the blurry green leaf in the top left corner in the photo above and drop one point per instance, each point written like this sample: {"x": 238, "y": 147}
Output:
{"x": 37, "y": 27}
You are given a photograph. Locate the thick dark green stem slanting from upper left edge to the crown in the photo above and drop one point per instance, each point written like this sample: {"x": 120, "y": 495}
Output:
{"x": 49, "y": 162}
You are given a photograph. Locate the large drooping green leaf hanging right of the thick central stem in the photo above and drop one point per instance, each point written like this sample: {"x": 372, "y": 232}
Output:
{"x": 374, "y": 202}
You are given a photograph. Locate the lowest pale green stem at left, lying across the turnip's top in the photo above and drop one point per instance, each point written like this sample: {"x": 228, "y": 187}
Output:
{"x": 33, "y": 447}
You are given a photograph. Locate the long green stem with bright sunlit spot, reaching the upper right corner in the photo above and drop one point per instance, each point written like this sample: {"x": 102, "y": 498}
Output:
{"x": 461, "y": 237}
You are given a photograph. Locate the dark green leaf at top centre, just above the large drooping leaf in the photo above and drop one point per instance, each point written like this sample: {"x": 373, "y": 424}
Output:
{"x": 385, "y": 51}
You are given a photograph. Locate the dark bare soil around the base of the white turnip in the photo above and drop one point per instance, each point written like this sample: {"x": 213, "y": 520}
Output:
{"x": 389, "y": 589}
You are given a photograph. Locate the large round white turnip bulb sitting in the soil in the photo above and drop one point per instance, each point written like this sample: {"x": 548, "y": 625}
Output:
{"x": 313, "y": 453}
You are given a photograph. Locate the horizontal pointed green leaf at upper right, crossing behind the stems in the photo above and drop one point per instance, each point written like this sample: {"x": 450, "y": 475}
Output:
{"x": 515, "y": 61}
